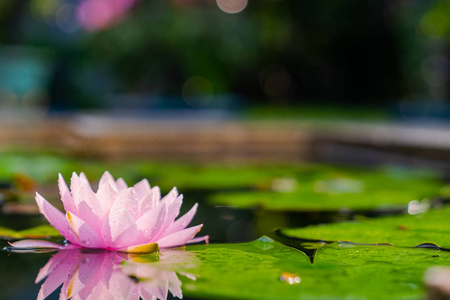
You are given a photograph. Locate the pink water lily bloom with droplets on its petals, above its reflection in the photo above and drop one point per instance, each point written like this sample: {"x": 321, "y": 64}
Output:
{"x": 117, "y": 217}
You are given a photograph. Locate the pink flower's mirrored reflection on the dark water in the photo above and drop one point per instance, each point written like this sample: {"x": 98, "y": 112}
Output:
{"x": 115, "y": 275}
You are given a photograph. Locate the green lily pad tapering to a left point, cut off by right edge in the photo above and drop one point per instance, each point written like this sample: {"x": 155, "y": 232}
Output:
{"x": 406, "y": 230}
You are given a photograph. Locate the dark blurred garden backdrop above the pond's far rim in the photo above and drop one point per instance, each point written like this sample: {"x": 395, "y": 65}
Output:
{"x": 72, "y": 55}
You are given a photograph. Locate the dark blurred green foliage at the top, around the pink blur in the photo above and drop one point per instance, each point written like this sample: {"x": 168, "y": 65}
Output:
{"x": 350, "y": 51}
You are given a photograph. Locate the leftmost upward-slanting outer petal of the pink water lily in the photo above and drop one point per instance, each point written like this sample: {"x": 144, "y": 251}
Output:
{"x": 56, "y": 218}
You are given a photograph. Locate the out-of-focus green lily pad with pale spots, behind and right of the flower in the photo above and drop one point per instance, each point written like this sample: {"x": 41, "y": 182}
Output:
{"x": 333, "y": 189}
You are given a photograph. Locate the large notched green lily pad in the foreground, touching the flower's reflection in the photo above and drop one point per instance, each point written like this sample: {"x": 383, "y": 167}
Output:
{"x": 341, "y": 271}
